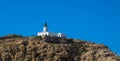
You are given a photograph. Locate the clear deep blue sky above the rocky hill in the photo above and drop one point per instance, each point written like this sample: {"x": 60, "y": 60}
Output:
{"x": 92, "y": 20}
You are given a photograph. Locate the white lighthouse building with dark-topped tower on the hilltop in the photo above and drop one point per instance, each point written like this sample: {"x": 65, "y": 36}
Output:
{"x": 46, "y": 33}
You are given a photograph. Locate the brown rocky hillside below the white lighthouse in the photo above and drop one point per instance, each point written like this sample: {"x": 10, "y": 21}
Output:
{"x": 37, "y": 49}
